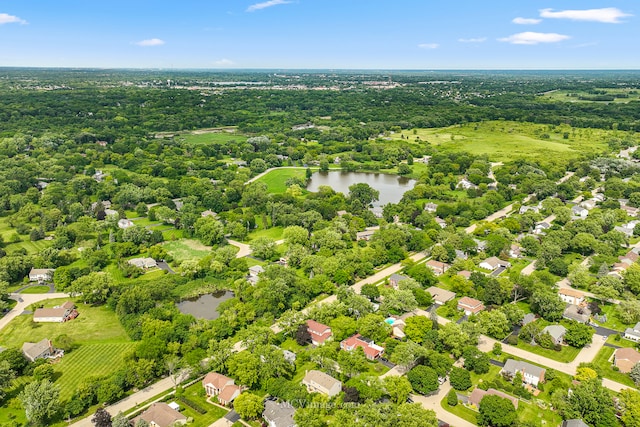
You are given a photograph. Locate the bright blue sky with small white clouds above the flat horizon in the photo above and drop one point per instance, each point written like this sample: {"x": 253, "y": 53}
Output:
{"x": 312, "y": 34}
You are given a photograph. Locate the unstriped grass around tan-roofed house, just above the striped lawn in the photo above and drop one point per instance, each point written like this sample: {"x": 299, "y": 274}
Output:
{"x": 95, "y": 325}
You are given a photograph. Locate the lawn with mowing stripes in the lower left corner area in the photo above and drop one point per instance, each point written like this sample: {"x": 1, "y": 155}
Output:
{"x": 90, "y": 360}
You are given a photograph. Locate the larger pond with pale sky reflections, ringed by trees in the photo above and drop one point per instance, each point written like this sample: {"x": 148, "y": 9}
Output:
{"x": 391, "y": 187}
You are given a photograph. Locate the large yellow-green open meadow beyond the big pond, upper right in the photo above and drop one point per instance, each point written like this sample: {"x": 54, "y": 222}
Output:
{"x": 505, "y": 140}
